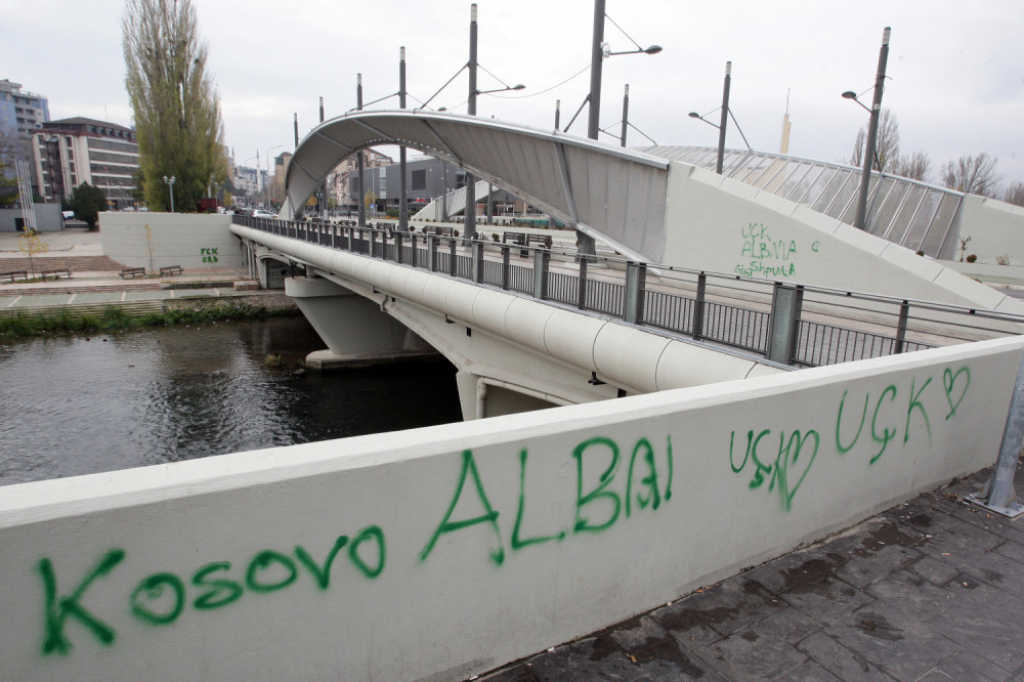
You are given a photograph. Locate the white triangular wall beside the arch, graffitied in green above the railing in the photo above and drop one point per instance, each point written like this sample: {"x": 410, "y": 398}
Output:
{"x": 724, "y": 226}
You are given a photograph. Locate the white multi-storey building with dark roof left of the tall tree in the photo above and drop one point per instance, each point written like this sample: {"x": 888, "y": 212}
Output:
{"x": 71, "y": 152}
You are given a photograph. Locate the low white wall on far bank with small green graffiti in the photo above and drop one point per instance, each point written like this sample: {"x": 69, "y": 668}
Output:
{"x": 194, "y": 241}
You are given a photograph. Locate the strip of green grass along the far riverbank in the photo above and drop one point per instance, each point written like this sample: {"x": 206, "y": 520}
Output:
{"x": 114, "y": 319}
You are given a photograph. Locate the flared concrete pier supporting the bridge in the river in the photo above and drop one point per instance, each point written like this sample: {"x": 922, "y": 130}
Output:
{"x": 357, "y": 330}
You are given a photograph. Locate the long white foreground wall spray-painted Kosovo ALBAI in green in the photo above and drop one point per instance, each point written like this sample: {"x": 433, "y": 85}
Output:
{"x": 444, "y": 552}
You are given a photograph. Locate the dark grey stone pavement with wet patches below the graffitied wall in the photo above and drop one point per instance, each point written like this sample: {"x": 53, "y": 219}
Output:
{"x": 931, "y": 590}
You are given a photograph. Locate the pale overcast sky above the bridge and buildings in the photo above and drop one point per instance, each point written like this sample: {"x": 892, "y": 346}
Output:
{"x": 956, "y": 69}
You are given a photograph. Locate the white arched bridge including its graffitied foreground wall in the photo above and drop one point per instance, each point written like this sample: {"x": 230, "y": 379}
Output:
{"x": 756, "y": 415}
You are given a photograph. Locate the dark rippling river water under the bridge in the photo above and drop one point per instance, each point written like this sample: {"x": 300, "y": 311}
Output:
{"x": 74, "y": 405}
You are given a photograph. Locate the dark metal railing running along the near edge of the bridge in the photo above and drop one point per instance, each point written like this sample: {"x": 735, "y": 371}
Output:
{"x": 786, "y": 323}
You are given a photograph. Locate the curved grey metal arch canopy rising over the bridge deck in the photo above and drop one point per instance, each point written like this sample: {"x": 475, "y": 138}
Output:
{"x": 616, "y": 195}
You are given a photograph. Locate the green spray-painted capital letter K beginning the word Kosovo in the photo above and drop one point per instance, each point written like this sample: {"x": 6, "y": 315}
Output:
{"x": 58, "y": 610}
